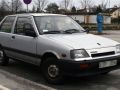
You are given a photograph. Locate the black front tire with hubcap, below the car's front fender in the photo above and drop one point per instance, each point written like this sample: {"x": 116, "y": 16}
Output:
{"x": 51, "y": 71}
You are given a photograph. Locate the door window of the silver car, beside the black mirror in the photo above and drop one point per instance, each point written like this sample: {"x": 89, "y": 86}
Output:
{"x": 21, "y": 24}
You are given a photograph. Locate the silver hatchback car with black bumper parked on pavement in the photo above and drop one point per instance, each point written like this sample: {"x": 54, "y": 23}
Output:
{"x": 57, "y": 44}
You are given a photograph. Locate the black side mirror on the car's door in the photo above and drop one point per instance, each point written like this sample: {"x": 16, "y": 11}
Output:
{"x": 29, "y": 30}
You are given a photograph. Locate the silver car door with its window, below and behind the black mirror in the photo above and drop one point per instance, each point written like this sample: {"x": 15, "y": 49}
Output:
{"x": 23, "y": 47}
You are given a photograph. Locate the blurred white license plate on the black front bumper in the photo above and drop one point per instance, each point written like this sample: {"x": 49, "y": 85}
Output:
{"x": 107, "y": 64}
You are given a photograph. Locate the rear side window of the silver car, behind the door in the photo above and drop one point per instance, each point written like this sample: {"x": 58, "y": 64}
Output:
{"x": 7, "y": 24}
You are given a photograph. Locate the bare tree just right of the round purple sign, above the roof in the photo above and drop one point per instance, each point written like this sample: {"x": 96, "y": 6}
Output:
{"x": 41, "y": 4}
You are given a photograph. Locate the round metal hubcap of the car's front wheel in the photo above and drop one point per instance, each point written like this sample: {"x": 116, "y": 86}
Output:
{"x": 53, "y": 71}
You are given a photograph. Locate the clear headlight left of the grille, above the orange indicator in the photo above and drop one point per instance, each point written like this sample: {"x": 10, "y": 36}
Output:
{"x": 78, "y": 54}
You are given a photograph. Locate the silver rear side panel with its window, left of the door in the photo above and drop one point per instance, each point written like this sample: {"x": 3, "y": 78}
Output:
{"x": 6, "y": 32}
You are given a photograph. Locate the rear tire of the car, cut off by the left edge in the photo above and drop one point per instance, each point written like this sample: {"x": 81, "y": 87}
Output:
{"x": 4, "y": 60}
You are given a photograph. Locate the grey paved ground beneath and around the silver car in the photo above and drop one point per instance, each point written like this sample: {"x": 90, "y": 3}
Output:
{"x": 22, "y": 76}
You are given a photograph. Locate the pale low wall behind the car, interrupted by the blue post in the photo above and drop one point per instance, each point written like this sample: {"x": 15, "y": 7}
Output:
{"x": 91, "y": 19}
